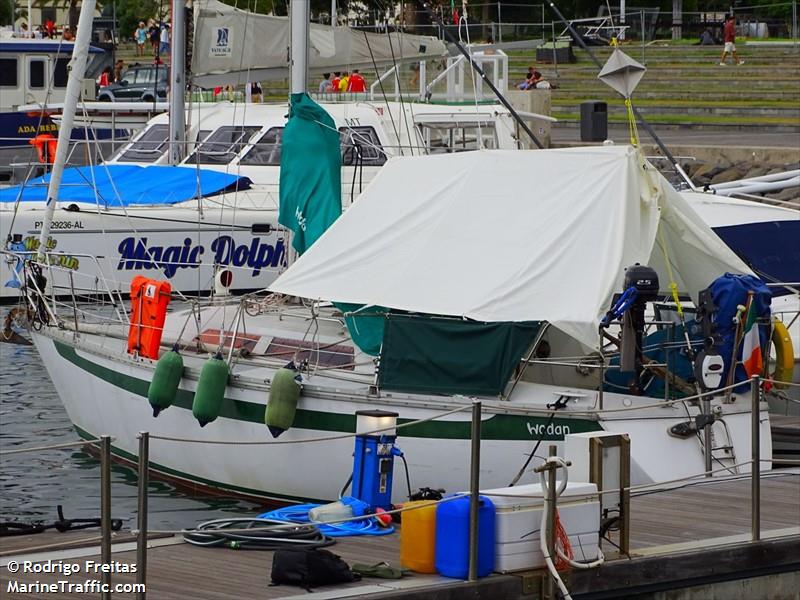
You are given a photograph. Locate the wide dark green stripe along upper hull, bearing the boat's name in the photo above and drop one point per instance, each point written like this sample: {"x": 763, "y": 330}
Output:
{"x": 496, "y": 427}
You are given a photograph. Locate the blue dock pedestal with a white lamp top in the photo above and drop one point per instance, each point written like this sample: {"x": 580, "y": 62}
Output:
{"x": 373, "y": 457}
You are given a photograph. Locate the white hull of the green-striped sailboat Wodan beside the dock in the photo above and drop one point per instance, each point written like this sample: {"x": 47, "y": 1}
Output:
{"x": 105, "y": 394}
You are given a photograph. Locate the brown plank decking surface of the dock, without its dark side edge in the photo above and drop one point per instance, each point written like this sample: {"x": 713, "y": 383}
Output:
{"x": 700, "y": 512}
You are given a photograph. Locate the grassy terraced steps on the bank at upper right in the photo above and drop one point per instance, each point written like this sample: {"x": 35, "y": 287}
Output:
{"x": 685, "y": 87}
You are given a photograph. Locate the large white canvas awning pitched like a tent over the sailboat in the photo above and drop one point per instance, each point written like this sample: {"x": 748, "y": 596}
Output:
{"x": 510, "y": 236}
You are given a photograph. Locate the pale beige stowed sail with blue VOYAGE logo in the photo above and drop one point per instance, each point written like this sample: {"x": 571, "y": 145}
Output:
{"x": 233, "y": 46}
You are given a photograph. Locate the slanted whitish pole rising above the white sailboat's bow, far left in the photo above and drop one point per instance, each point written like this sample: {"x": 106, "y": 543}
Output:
{"x": 77, "y": 69}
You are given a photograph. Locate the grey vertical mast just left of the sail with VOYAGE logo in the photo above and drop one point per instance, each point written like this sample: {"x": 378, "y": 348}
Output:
{"x": 177, "y": 83}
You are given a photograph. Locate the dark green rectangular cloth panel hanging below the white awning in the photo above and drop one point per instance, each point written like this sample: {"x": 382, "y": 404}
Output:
{"x": 451, "y": 356}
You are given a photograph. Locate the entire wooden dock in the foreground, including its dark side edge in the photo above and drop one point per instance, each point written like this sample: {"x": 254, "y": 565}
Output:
{"x": 676, "y": 537}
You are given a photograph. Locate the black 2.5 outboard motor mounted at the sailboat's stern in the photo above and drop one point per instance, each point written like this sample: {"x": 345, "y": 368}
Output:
{"x": 643, "y": 280}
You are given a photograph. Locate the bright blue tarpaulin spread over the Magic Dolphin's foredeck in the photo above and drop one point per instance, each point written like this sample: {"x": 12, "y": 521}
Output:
{"x": 128, "y": 185}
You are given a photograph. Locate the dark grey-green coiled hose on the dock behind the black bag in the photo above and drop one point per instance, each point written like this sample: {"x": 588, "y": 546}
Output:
{"x": 267, "y": 534}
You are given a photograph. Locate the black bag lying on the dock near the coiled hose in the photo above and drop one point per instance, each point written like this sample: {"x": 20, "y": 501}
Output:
{"x": 309, "y": 568}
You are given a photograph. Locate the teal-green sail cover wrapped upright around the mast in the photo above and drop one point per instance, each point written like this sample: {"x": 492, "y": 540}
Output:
{"x": 311, "y": 172}
